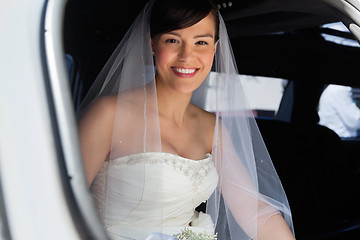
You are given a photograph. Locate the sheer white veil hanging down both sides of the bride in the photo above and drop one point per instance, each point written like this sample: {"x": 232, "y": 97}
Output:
{"x": 249, "y": 191}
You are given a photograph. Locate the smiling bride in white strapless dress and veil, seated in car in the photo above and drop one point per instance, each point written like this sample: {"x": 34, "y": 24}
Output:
{"x": 152, "y": 154}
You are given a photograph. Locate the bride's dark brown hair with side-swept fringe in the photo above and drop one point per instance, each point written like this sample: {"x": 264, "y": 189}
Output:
{"x": 169, "y": 15}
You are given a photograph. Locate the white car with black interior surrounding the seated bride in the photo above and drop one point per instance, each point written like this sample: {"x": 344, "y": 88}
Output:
{"x": 52, "y": 50}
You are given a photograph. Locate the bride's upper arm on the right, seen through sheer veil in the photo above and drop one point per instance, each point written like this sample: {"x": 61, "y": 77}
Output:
{"x": 238, "y": 184}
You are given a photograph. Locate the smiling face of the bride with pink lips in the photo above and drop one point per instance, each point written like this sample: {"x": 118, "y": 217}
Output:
{"x": 184, "y": 57}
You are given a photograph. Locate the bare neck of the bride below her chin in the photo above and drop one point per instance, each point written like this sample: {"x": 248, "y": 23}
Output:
{"x": 172, "y": 104}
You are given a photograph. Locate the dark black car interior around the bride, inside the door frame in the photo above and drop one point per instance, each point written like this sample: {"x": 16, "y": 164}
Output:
{"x": 319, "y": 170}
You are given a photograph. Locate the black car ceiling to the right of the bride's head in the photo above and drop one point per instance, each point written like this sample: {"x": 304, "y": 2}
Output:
{"x": 253, "y": 17}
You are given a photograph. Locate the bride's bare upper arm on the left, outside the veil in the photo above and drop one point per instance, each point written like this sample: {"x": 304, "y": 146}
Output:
{"x": 95, "y": 132}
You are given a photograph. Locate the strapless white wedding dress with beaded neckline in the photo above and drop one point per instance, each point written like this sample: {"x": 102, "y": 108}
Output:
{"x": 185, "y": 184}
